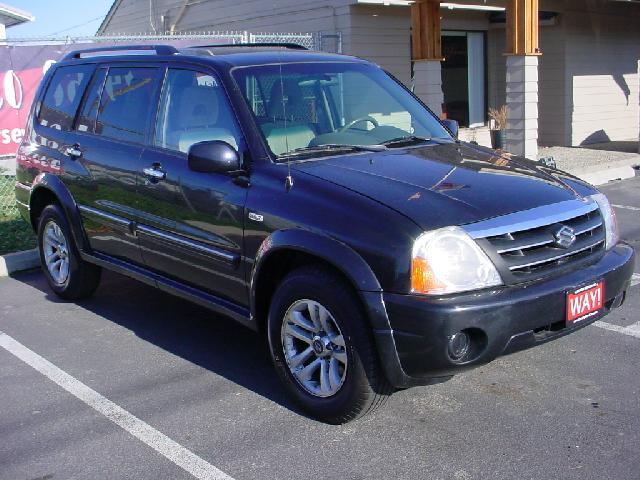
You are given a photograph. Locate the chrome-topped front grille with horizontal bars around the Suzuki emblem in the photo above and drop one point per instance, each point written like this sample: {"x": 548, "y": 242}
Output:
{"x": 524, "y": 244}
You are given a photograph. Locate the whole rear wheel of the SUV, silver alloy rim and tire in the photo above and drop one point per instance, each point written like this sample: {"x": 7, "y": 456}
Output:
{"x": 68, "y": 275}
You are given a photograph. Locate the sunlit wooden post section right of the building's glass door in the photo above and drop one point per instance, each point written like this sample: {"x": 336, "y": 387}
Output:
{"x": 522, "y": 27}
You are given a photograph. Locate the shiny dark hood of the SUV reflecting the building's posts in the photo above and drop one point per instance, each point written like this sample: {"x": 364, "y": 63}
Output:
{"x": 437, "y": 185}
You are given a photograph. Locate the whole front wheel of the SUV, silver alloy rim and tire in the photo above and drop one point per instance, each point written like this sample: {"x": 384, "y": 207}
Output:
{"x": 322, "y": 347}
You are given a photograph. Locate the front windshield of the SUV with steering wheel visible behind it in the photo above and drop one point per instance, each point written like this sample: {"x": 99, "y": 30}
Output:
{"x": 302, "y": 106}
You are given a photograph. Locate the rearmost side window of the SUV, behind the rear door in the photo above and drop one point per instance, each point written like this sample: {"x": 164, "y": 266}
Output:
{"x": 63, "y": 96}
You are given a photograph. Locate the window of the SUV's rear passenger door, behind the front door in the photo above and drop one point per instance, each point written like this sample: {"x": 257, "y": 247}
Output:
{"x": 127, "y": 103}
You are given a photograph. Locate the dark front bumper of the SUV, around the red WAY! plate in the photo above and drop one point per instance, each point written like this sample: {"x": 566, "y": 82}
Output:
{"x": 413, "y": 349}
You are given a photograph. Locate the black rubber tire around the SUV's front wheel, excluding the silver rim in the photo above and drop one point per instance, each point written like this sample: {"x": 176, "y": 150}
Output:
{"x": 365, "y": 386}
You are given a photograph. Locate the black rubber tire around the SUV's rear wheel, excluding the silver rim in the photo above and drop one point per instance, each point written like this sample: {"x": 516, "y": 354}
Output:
{"x": 83, "y": 278}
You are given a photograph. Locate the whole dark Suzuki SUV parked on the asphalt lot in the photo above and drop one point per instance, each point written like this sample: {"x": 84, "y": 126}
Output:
{"x": 317, "y": 201}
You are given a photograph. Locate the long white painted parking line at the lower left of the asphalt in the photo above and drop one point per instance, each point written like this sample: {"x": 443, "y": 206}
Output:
{"x": 162, "y": 444}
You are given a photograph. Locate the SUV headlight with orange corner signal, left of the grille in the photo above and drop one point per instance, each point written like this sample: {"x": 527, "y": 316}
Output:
{"x": 448, "y": 261}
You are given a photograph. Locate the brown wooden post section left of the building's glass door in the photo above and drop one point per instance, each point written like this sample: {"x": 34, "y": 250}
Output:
{"x": 425, "y": 30}
